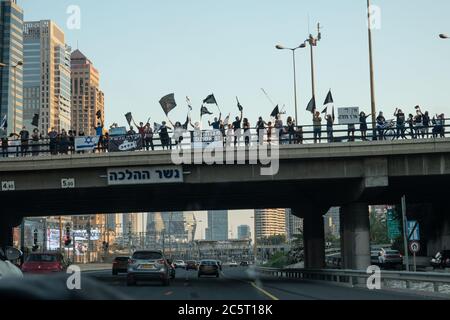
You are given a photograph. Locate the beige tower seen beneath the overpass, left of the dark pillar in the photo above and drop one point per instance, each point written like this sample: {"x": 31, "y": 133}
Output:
{"x": 270, "y": 222}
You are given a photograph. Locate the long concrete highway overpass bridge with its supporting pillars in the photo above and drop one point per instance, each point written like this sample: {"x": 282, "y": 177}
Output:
{"x": 311, "y": 179}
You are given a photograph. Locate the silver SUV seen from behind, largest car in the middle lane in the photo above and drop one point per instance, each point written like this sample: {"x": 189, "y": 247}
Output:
{"x": 146, "y": 265}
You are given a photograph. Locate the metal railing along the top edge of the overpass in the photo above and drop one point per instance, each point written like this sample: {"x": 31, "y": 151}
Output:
{"x": 14, "y": 147}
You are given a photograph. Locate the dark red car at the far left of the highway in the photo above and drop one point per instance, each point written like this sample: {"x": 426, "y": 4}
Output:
{"x": 45, "y": 263}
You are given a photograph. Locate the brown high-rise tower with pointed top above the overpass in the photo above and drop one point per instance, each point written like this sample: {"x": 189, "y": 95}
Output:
{"x": 87, "y": 98}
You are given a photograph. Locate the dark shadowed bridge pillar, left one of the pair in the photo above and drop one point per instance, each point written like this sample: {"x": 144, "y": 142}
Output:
{"x": 314, "y": 239}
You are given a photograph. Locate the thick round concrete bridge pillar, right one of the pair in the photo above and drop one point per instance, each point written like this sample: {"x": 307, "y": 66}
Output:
{"x": 355, "y": 236}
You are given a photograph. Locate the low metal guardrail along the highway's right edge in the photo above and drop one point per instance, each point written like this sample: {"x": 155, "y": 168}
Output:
{"x": 354, "y": 277}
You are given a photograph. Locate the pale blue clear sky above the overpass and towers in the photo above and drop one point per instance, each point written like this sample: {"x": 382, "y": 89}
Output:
{"x": 147, "y": 49}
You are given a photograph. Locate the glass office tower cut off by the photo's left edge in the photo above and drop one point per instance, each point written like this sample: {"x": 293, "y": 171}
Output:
{"x": 11, "y": 70}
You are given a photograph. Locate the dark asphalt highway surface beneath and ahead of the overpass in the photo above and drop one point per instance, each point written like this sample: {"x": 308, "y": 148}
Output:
{"x": 240, "y": 284}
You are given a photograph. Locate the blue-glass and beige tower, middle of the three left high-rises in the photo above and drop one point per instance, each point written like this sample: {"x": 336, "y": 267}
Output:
{"x": 47, "y": 86}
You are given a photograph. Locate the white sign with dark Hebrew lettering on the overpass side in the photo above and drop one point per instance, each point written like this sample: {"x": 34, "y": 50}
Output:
{"x": 145, "y": 175}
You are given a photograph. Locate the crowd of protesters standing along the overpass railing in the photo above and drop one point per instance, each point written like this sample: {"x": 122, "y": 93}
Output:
{"x": 417, "y": 126}
